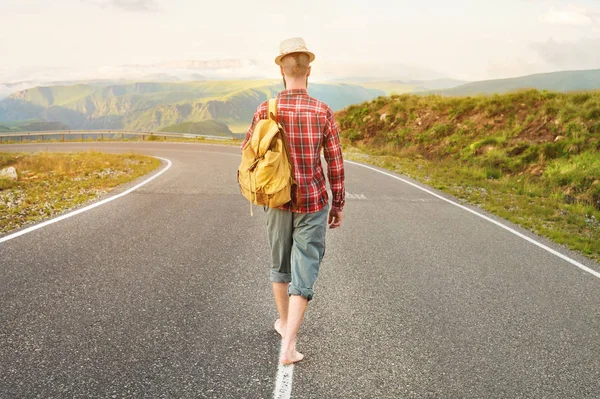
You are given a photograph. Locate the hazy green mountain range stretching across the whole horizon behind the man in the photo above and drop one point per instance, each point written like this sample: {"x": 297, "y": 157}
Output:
{"x": 154, "y": 106}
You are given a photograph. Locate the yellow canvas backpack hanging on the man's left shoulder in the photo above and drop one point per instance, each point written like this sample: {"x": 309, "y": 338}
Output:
{"x": 266, "y": 173}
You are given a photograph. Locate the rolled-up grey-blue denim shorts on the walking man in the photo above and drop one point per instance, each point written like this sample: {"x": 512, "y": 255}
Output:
{"x": 297, "y": 243}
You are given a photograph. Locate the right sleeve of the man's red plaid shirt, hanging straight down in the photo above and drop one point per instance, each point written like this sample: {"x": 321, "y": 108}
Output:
{"x": 332, "y": 150}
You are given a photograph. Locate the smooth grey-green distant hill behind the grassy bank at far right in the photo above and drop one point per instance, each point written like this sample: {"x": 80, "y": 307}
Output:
{"x": 555, "y": 81}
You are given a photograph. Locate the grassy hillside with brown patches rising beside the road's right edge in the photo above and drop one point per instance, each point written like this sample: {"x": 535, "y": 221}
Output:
{"x": 532, "y": 157}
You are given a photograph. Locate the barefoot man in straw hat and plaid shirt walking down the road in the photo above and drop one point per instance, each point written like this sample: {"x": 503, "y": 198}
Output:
{"x": 297, "y": 233}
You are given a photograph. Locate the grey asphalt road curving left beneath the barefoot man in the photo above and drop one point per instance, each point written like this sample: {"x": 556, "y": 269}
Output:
{"x": 165, "y": 293}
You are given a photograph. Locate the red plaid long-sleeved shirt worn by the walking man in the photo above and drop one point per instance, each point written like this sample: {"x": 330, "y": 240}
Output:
{"x": 309, "y": 125}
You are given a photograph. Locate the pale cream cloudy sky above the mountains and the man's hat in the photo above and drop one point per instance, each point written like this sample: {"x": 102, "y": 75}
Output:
{"x": 463, "y": 39}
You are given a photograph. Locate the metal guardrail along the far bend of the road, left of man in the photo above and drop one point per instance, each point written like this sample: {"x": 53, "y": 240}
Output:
{"x": 102, "y": 135}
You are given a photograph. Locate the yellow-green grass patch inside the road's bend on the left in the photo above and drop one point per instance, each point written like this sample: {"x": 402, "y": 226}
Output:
{"x": 51, "y": 183}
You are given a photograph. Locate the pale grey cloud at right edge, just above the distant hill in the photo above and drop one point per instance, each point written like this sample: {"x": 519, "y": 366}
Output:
{"x": 582, "y": 54}
